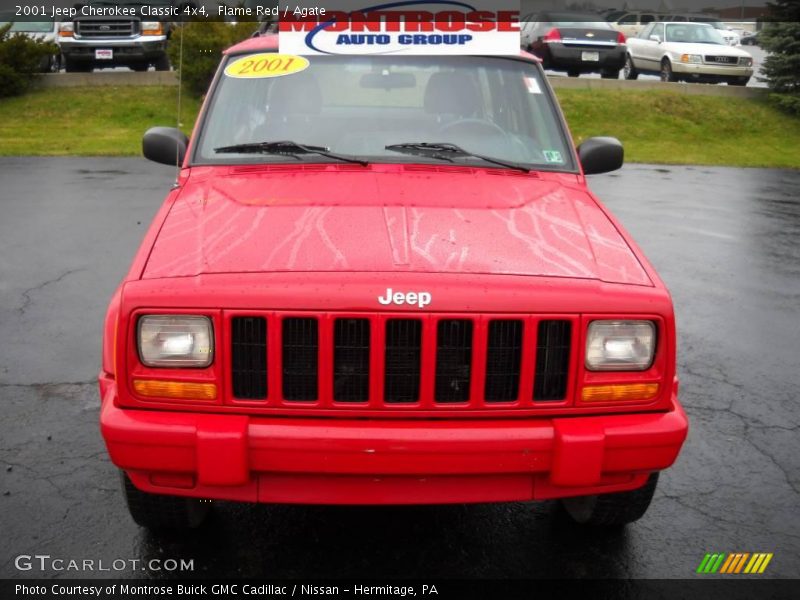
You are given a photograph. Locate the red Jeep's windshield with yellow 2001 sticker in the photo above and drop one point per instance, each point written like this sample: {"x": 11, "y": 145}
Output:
{"x": 359, "y": 105}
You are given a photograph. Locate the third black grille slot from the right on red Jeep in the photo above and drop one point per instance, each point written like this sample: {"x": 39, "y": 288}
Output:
{"x": 453, "y": 360}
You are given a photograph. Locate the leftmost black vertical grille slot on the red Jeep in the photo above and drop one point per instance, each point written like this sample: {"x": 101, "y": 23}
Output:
{"x": 249, "y": 357}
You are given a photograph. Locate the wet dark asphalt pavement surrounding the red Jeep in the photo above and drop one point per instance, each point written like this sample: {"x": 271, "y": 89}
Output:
{"x": 726, "y": 241}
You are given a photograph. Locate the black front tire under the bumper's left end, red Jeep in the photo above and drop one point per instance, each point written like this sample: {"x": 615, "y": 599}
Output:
{"x": 155, "y": 511}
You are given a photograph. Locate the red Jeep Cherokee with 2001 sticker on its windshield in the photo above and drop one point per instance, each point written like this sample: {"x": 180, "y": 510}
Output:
{"x": 383, "y": 280}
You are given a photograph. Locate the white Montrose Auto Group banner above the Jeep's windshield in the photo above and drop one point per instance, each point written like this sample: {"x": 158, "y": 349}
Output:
{"x": 403, "y": 27}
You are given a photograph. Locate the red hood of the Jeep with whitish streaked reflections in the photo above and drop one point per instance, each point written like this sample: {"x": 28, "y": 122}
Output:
{"x": 413, "y": 218}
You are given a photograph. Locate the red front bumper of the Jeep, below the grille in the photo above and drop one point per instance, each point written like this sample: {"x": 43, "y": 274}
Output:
{"x": 332, "y": 461}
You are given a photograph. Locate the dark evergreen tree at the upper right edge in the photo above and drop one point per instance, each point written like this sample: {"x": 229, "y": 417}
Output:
{"x": 781, "y": 38}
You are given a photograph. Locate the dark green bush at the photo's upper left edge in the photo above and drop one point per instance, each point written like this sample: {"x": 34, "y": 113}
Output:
{"x": 21, "y": 61}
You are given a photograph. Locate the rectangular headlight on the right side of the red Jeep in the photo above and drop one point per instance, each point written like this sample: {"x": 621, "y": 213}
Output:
{"x": 620, "y": 345}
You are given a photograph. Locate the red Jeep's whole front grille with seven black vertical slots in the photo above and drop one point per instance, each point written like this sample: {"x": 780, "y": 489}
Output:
{"x": 425, "y": 362}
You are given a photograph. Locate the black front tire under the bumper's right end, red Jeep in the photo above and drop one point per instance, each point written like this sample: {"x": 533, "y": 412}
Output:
{"x": 611, "y": 510}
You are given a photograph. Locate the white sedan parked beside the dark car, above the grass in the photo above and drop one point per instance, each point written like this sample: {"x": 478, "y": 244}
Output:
{"x": 687, "y": 52}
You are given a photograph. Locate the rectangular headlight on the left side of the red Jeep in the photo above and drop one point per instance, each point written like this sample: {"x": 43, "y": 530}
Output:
{"x": 175, "y": 341}
